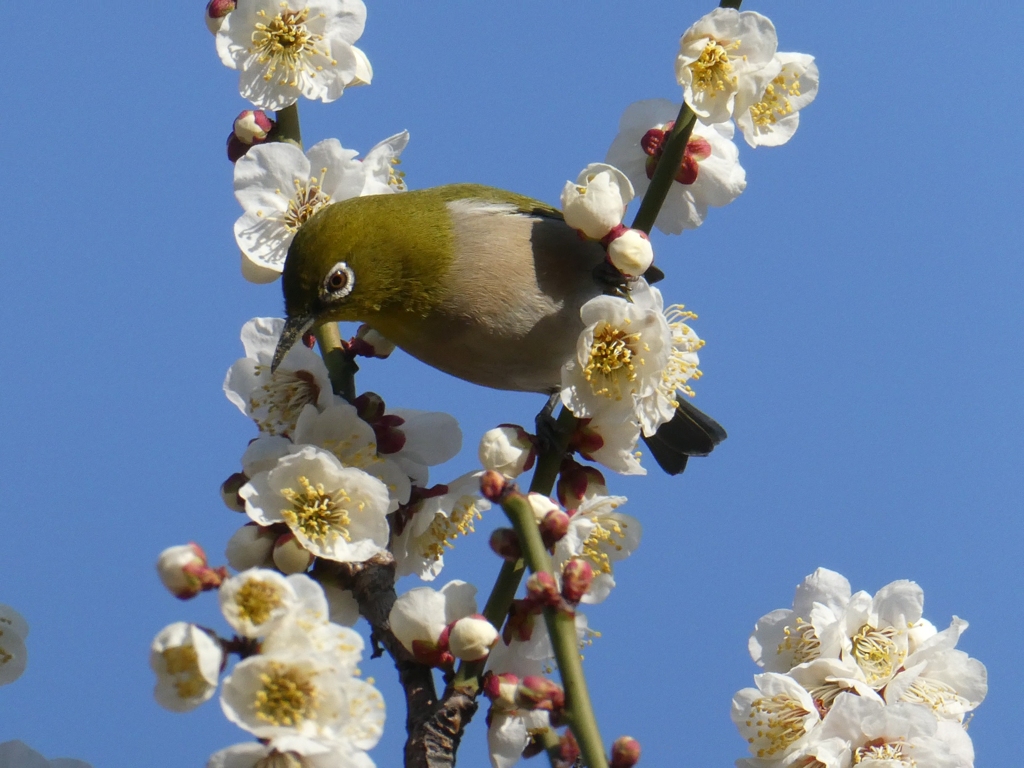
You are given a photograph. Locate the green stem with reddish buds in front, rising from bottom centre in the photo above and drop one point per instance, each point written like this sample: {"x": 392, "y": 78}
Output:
{"x": 562, "y": 627}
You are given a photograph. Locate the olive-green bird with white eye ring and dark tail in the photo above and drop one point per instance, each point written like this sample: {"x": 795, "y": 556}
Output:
{"x": 481, "y": 283}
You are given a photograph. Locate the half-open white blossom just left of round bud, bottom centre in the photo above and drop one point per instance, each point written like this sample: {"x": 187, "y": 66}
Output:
{"x": 420, "y": 616}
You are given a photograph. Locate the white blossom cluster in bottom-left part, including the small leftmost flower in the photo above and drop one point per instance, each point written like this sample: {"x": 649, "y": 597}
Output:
{"x": 297, "y": 688}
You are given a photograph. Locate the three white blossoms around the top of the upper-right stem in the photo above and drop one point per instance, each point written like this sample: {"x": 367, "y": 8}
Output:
{"x": 733, "y": 75}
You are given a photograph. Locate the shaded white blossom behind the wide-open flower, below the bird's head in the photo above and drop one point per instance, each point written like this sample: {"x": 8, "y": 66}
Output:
{"x": 340, "y": 431}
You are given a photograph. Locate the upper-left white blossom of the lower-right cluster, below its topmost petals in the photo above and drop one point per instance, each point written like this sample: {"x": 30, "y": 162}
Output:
{"x": 810, "y": 630}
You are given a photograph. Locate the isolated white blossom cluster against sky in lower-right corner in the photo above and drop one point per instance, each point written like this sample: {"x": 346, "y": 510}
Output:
{"x": 851, "y": 678}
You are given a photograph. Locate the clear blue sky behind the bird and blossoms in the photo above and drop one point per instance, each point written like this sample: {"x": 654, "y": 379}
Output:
{"x": 862, "y": 304}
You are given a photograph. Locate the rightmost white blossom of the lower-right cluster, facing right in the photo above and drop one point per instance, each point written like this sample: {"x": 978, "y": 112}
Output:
{"x": 937, "y": 675}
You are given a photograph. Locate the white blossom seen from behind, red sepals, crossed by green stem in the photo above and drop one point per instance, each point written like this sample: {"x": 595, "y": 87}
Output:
{"x": 710, "y": 175}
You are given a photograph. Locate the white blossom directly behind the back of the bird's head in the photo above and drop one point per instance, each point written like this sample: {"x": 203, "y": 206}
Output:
{"x": 280, "y": 189}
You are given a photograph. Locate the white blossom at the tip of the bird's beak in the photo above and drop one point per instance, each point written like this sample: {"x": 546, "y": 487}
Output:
{"x": 275, "y": 401}
